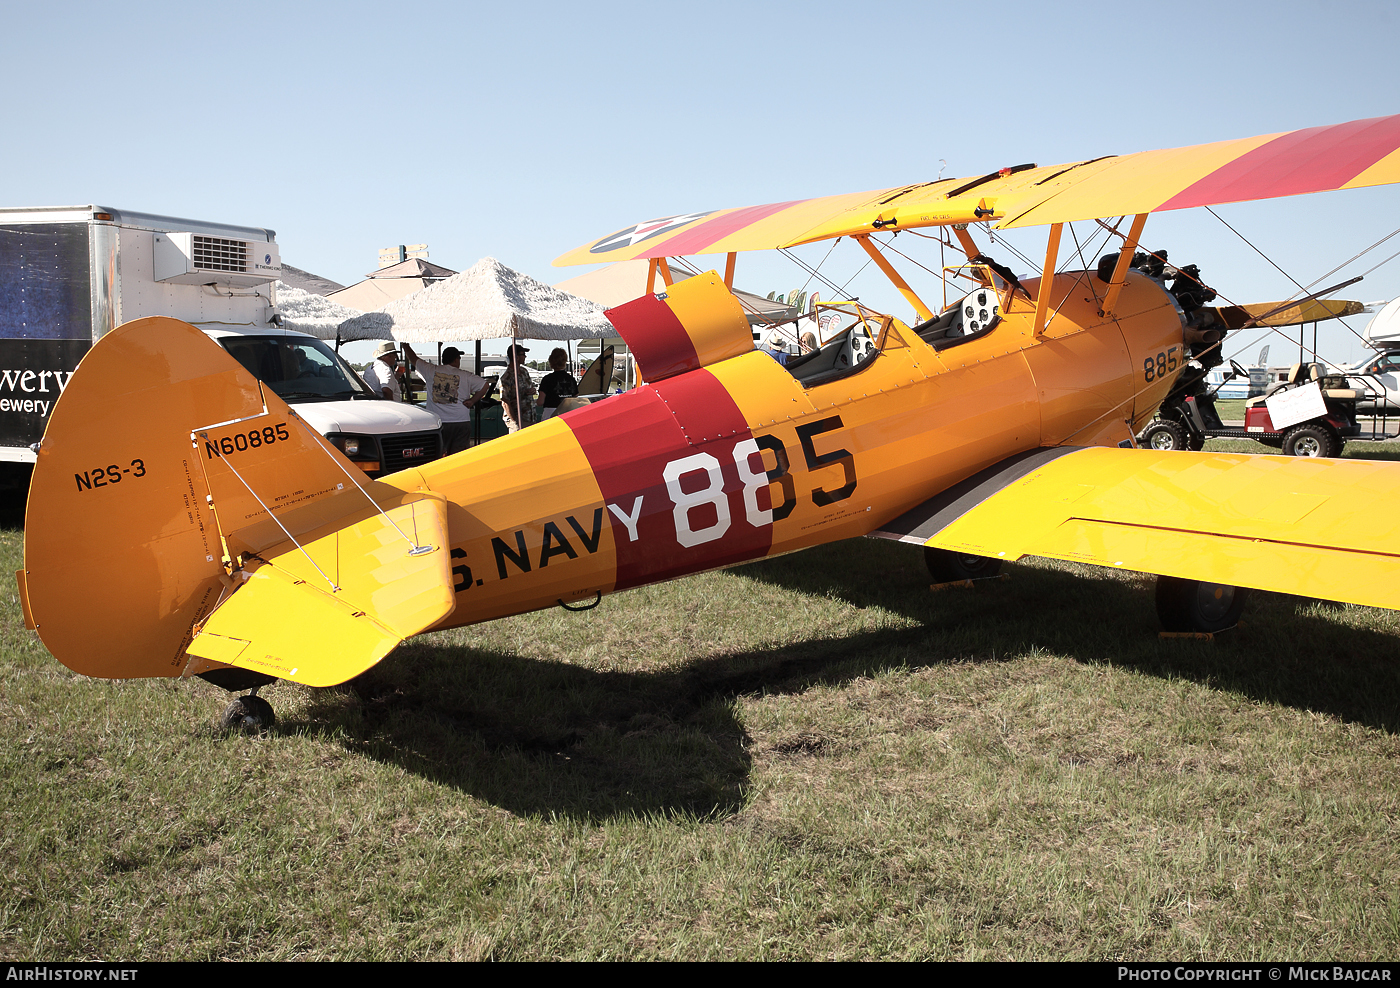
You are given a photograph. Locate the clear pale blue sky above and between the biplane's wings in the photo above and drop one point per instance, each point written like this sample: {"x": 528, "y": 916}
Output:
{"x": 521, "y": 131}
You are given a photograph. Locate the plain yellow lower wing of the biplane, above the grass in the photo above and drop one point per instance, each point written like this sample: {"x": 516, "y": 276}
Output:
{"x": 1294, "y": 525}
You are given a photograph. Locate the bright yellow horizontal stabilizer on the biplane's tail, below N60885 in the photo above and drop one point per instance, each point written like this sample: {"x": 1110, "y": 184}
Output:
{"x": 327, "y": 611}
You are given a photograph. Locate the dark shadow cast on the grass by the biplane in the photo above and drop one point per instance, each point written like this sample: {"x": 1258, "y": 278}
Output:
{"x": 542, "y": 737}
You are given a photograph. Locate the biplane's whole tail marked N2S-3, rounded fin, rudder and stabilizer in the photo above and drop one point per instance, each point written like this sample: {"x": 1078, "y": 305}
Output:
{"x": 171, "y": 486}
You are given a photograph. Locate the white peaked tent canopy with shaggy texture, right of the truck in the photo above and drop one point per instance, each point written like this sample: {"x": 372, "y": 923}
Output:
{"x": 489, "y": 302}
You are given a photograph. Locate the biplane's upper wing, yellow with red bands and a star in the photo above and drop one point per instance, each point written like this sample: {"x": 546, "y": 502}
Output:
{"x": 1343, "y": 156}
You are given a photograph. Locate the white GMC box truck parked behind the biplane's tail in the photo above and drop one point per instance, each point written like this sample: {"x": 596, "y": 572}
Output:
{"x": 72, "y": 274}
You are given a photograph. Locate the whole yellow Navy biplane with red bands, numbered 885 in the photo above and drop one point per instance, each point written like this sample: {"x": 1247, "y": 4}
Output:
{"x": 240, "y": 546}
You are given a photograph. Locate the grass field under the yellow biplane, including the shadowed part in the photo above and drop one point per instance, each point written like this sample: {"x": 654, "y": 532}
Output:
{"x": 810, "y": 758}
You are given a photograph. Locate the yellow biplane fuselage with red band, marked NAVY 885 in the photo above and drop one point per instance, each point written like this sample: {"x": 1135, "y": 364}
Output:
{"x": 738, "y": 460}
